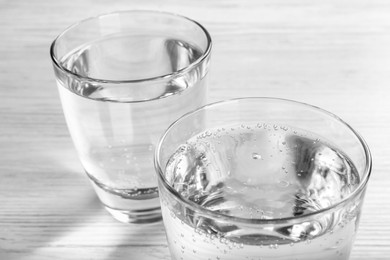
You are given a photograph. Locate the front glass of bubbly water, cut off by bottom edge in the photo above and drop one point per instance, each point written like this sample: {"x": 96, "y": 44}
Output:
{"x": 261, "y": 179}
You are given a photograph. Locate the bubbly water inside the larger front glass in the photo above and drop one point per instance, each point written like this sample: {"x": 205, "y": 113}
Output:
{"x": 249, "y": 174}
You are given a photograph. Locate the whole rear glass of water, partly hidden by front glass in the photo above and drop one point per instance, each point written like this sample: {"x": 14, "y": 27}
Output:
{"x": 123, "y": 78}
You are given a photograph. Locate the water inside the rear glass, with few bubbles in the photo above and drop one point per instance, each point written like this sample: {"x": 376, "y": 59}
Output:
{"x": 116, "y": 126}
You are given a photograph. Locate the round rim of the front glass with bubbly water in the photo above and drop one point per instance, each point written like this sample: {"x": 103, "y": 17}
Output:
{"x": 206, "y": 212}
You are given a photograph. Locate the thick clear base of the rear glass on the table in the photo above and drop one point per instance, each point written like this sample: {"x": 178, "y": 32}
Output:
{"x": 136, "y": 217}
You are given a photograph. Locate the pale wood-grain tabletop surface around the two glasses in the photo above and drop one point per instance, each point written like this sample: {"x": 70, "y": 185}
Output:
{"x": 333, "y": 54}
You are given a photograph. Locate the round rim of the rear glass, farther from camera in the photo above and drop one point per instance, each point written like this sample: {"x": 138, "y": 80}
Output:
{"x": 176, "y": 73}
